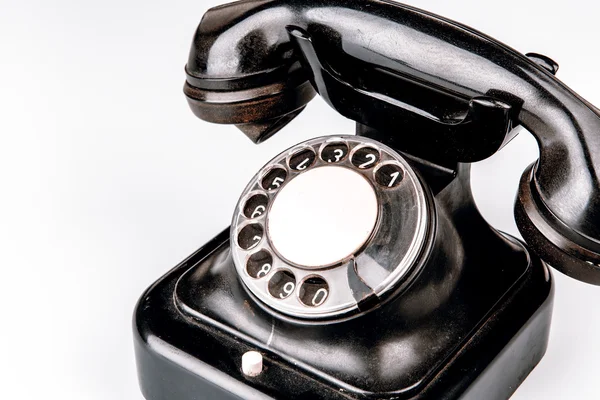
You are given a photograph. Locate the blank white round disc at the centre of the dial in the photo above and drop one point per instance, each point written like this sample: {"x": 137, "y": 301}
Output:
{"x": 322, "y": 216}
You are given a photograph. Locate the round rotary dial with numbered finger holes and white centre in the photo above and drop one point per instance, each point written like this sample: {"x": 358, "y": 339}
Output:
{"x": 329, "y": 226}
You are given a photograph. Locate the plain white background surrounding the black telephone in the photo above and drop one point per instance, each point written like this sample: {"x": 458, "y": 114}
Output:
{"x": 107, "y": 180}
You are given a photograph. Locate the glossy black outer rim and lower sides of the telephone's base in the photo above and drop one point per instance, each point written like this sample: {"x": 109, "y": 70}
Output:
{"x": 184, "y": 358}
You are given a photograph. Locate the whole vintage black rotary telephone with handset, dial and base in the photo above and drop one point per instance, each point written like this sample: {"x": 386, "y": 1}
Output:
{"x": 358, "y": 267}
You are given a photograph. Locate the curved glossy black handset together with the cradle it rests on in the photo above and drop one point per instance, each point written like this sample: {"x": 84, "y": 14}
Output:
{"x": 427, "y": 85}
